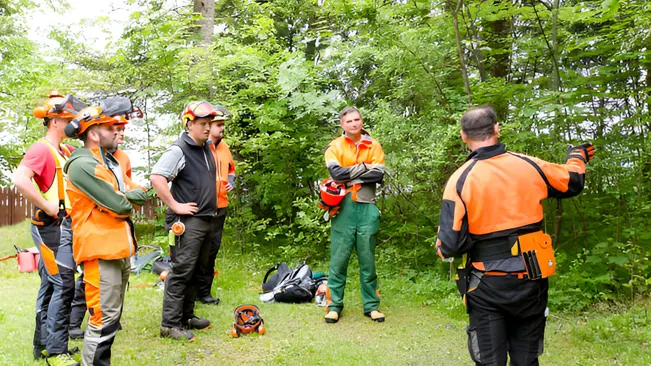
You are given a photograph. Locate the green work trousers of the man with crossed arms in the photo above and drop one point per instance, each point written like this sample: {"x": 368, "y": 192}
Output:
{"x": 355, "y": 226}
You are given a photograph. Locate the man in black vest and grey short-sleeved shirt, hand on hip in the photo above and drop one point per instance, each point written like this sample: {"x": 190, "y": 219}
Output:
{"x": 192, "y": 203}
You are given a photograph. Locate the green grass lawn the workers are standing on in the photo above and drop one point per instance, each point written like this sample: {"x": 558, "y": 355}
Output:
{"x": 425, "y": 324}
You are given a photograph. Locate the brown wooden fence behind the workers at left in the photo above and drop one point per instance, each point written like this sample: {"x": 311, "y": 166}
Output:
{"x": 14, "y": 208}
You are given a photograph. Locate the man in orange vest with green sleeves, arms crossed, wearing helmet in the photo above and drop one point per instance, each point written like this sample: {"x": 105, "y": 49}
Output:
{"x": 101, "y": 210}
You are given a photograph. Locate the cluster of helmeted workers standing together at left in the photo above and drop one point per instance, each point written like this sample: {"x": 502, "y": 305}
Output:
{"x": 84, "y": 199}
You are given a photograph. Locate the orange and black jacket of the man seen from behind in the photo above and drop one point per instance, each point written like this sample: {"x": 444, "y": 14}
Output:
{"x": 496, "y": 195}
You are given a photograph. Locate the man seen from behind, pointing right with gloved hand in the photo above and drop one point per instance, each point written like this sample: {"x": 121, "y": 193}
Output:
{"x": 492, "y": 215}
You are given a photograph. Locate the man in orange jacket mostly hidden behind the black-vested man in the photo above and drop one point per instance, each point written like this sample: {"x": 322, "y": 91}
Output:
{"x": 225, "y": 183}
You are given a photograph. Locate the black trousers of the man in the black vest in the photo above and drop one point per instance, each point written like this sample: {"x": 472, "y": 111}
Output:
{"x": 191, "y": 257}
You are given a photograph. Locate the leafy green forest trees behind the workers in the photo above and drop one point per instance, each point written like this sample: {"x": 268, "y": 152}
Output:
{"x": 557, "y": 72}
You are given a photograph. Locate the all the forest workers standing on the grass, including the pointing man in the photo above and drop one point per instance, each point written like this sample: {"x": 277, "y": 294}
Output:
{"x": 491, "y": 216}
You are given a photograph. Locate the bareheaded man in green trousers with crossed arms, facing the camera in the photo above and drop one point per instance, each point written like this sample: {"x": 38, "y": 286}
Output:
{"x": 356, "y": 160}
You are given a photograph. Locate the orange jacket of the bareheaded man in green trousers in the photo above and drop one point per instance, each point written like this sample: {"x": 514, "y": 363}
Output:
{"x": 360, "y": 166}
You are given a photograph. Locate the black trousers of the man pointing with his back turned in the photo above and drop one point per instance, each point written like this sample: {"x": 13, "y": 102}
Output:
{"x": 507, "y": 315}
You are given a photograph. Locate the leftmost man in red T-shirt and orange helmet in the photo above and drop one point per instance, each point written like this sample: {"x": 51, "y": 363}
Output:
{"x": 41, "y": 180}
